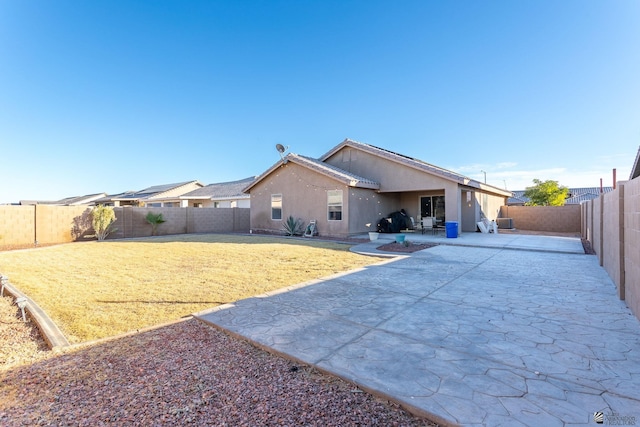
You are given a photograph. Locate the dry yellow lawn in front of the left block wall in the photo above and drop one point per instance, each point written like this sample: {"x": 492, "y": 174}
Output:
{"x": 95, "y": 290}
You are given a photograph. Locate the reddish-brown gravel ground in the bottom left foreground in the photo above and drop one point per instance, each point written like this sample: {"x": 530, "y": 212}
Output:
{"x": 185, "y": 373}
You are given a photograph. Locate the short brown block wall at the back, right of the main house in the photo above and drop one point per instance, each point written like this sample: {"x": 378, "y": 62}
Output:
{"x": 558, "y": 219}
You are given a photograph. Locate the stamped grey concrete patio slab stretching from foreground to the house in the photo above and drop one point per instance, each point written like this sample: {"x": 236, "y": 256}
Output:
{"x": 470, "y": 333}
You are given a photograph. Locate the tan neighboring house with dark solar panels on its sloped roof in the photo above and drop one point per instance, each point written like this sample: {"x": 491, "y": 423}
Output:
{"x": 167, "y": 195}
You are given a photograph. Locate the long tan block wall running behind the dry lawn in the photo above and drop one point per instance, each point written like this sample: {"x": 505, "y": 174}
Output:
{"x": 43, "y": 224}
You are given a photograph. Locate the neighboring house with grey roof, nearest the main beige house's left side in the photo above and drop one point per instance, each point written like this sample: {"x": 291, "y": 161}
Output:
{"x": 219, "y": 195}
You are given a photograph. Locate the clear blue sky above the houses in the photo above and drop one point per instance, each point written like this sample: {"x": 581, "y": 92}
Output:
{"x": 108, "y": 96}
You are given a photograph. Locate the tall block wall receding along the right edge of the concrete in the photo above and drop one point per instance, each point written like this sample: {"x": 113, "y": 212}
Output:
{"x": 611, "y": 223}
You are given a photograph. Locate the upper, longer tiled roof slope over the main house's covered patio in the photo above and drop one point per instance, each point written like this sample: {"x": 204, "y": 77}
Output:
{"x": 416, "y": 164}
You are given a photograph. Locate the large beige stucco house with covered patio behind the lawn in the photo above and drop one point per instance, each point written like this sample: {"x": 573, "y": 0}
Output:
{"x": 355, "y": 184}
